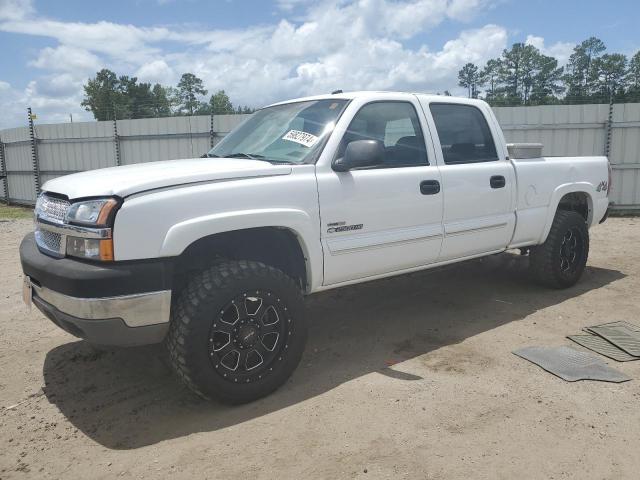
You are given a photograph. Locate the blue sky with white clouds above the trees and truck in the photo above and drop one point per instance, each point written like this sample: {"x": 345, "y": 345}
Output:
{"x": 263, "y": 51}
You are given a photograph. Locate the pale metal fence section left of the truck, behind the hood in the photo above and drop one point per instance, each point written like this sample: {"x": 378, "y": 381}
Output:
{"x": 65, "y": 148}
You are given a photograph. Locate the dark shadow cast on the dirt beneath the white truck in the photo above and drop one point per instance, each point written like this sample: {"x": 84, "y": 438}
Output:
{"x": 127, "y": 398}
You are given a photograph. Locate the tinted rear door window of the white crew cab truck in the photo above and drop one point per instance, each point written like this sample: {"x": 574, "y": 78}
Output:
{"x": 464, "y": 134}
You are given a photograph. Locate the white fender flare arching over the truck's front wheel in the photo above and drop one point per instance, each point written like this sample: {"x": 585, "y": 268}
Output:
{"x": 298, "y": 222}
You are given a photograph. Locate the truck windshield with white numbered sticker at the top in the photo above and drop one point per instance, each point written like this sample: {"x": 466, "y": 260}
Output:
{"x": 288, "y": 133}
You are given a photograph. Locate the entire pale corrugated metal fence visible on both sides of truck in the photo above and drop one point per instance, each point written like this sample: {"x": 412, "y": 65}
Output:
{"x": 66, "y": 148}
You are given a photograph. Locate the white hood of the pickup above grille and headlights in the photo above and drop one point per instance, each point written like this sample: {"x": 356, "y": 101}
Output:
{"x": 130, "y": 179}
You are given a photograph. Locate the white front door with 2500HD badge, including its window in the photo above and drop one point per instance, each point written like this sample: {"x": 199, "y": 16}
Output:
{"x": 386, "y": 218}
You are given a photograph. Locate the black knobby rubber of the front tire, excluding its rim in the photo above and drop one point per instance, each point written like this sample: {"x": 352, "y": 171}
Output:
{"x": 201, "y": 303}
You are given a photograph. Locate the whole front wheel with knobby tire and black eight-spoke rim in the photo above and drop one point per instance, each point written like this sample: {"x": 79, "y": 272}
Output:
{"x": 237, "y": 331}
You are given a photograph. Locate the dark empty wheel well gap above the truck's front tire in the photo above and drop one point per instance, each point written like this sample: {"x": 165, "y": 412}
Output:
{"x": 274, "y": 246}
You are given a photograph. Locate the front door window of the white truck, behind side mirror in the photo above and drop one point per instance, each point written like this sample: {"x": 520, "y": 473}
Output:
{"x": 396, "y": 126}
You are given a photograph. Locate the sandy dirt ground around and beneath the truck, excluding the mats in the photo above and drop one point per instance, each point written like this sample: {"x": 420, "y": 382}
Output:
{"x": 410, "y": 377}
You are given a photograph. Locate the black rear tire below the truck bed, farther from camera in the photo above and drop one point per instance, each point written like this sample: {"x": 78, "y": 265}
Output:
{"x": 546, "y": 261}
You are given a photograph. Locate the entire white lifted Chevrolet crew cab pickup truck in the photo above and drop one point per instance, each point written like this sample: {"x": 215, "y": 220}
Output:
{"x": 214, "y": 255}
